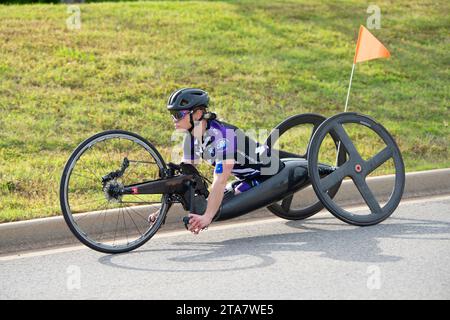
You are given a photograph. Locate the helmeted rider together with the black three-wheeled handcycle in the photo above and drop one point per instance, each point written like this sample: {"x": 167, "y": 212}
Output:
{"x": 115, "y": 176}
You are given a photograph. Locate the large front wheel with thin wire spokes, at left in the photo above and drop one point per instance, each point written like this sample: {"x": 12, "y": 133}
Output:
{"x": 94, "y": 208}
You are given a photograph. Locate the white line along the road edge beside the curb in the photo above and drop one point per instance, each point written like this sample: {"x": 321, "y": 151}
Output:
{"x": 217, "y": 227}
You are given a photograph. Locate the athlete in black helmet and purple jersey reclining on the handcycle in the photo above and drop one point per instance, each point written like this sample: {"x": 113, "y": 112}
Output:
{"x": 222, "y": 145}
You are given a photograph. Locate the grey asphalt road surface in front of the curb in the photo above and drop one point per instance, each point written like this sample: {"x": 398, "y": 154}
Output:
{"x": 406, "y": 256}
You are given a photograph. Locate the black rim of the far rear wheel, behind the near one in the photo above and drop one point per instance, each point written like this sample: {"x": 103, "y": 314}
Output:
{"x": 284, "y": 209}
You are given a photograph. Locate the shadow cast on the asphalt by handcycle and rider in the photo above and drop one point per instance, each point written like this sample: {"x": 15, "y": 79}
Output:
{"x": 343, "y": 243}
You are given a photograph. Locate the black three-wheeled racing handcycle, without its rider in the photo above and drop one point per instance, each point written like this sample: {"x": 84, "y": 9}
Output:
{"x": 117, "y": 176}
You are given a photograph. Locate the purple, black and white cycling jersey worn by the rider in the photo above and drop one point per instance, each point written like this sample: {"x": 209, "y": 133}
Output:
{"x": 223, "y": 141}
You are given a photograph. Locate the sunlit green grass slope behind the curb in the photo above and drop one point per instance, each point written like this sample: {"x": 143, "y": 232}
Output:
{"x": 261, "y": 61}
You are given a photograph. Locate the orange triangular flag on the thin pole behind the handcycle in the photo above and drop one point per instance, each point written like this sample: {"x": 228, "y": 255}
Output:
{"x": 368, "y": 47}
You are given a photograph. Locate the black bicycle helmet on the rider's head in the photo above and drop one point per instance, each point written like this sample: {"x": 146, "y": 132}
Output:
{"x": 187, "y": 99}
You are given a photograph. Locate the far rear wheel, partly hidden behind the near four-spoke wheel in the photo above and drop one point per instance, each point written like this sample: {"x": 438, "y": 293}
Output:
{"x": 286, "y": 137}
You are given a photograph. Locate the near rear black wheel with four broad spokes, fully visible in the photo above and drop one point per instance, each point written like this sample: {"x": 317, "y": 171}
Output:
{"x": 357, "y": 168}
